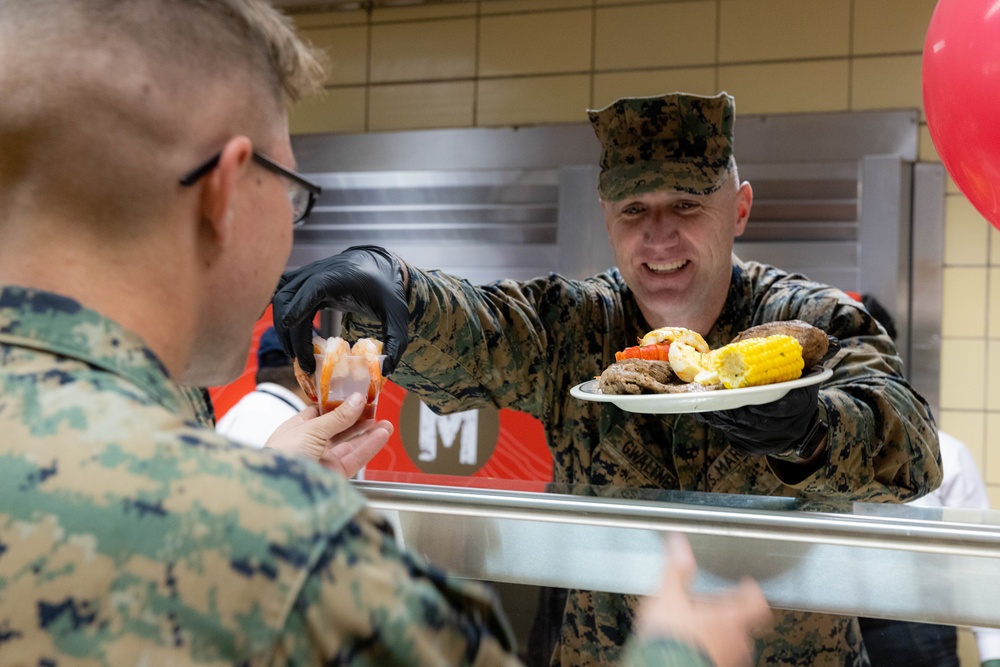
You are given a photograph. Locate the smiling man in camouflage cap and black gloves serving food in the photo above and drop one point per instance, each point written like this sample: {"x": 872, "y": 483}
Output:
{"x": 673, "y": 205}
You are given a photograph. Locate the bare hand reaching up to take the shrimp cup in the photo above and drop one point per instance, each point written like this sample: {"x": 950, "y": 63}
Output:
{"x": 336, "y": 440}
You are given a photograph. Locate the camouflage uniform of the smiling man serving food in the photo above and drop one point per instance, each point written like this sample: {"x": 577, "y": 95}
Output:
{"x": 524, "y": 345}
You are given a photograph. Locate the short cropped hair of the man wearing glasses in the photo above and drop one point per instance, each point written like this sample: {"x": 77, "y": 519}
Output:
{"x": 102, "y": 97}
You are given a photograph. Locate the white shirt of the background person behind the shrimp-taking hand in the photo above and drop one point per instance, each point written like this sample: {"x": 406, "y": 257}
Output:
{"x": 255, "y": 417}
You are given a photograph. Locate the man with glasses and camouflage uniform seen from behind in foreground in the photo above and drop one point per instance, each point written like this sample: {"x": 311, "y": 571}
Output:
{"x": 147, "y": 199}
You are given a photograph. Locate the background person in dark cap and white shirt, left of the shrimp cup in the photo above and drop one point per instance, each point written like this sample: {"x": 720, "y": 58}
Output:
{"x": 276, "y": 398}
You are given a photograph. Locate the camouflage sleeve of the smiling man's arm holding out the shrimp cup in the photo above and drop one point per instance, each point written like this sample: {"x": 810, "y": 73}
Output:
{"x": 498, "y": 344}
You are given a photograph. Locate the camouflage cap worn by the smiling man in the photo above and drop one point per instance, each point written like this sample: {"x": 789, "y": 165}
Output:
{"x": 677, "y": 141}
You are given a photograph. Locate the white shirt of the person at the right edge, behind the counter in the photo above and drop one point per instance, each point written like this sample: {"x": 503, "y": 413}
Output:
{"x": 963, "y": 487}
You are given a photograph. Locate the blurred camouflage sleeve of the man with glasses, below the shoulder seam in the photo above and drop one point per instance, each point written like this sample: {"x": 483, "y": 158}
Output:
{"x": 366, "y": 602}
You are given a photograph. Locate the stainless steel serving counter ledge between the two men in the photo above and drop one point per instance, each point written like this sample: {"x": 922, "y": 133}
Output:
{"x": 935, "y": 565}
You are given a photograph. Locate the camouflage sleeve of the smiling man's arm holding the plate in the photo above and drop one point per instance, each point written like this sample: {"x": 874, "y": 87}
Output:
{"x": 882, "y": 443}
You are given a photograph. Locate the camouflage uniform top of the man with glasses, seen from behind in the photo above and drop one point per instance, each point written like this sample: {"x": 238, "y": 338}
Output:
{"x": 130, "y": 534}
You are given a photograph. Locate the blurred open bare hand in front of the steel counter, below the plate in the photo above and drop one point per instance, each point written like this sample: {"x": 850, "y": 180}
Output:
{"x": 721, "y": 625}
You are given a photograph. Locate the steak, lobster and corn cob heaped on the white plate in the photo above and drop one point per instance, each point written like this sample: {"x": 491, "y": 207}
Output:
{"x": 678, "y": 360}
